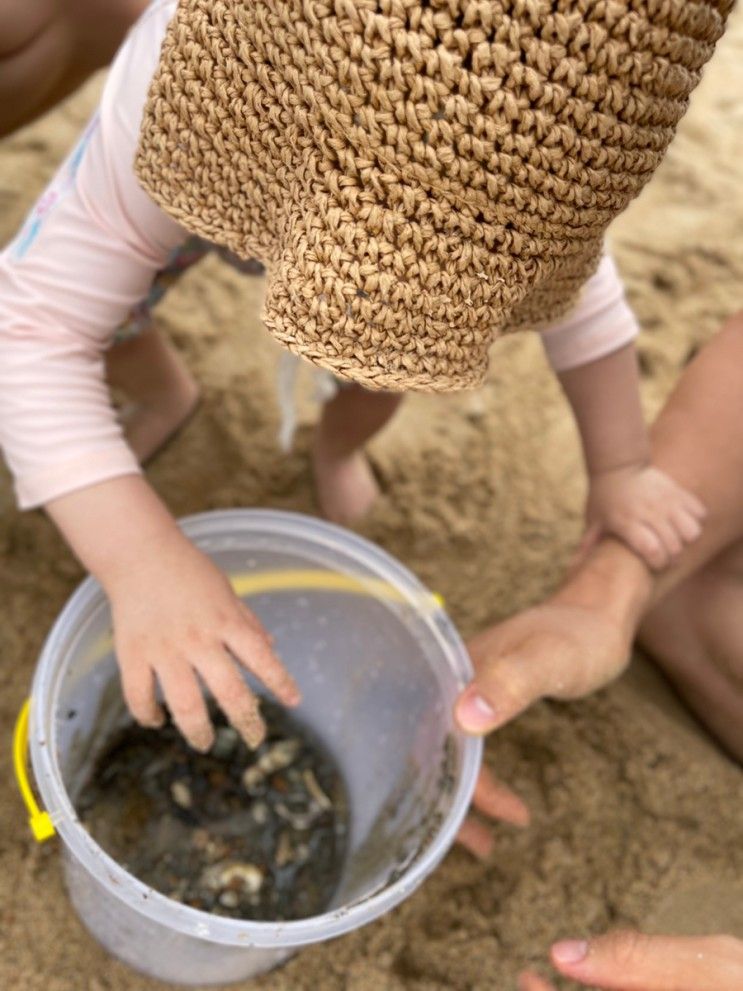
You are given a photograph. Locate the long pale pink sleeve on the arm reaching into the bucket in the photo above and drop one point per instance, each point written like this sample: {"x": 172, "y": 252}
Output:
{"x": 86, "y": 254}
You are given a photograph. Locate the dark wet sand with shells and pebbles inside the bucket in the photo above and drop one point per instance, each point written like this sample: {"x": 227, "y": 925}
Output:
{"x": 246, "y": 834}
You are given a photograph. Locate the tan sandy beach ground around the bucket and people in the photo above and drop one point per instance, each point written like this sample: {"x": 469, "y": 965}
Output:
{"x": 636, "y": 814}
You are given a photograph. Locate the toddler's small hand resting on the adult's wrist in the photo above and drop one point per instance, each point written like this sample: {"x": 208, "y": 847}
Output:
{"x": 646, "y": 509}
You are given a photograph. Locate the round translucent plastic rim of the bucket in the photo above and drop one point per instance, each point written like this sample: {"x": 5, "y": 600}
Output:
{"x": 218, "y": 929}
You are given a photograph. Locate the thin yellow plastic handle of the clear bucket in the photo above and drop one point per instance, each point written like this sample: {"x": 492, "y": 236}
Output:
{"x": 244, "y": 585}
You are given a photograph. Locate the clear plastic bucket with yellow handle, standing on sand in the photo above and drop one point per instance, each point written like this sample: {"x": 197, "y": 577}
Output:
{"x": 379, "y": 664}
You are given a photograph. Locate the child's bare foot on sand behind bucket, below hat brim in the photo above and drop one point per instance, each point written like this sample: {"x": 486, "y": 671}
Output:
{"x": 345, "y": 486}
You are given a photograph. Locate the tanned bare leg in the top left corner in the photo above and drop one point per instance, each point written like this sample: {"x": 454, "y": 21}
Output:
{"x": 49, "y": 47}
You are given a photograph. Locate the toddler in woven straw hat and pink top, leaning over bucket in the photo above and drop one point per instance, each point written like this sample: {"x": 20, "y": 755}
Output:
{"x": 394, "y": 166}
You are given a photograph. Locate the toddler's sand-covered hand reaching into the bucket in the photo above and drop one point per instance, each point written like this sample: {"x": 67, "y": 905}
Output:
{"x": 177, "y": 620}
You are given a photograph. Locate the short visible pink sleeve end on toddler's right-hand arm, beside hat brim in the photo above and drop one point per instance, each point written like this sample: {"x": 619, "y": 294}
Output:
{"x": 602, "y": 322}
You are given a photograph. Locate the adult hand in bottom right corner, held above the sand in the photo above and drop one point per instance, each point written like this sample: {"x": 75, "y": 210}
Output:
{"x": 630, "y": 961}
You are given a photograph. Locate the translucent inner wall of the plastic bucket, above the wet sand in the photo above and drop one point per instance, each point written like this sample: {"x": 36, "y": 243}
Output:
{"x": 378, "y": 687}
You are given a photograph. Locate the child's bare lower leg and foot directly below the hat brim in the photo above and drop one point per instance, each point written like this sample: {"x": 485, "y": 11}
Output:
{"x": 345, "y": 484}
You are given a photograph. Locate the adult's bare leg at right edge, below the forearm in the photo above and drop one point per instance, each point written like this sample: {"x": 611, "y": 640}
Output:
{"x": 696, "y": 636}
